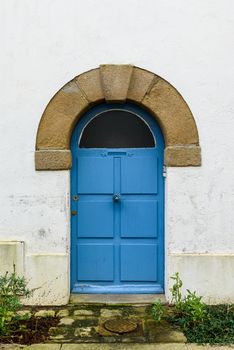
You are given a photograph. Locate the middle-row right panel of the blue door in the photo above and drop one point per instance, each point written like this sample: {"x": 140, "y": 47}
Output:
{"x": 145, "y": 214}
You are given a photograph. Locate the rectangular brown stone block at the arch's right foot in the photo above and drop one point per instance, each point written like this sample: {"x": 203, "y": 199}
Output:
{"x": 181, "y": 156}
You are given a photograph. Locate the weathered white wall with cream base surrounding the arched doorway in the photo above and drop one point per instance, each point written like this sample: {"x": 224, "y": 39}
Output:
{"x": 44, "y": 44}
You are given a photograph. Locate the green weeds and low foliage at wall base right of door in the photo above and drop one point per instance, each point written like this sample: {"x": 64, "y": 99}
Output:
{"x": 200, "y": 323}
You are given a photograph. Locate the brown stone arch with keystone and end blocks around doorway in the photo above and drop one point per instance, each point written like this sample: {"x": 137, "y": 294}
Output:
{"x": 116, "y": 83}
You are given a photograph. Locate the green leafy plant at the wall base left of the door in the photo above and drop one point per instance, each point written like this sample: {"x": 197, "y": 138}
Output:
{"x": 12, "y": 289}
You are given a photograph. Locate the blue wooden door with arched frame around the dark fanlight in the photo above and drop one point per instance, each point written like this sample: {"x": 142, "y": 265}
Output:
{"x": 117, "y": 204}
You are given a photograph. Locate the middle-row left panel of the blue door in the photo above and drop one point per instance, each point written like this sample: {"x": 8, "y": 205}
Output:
{"x": 101, "y": 224}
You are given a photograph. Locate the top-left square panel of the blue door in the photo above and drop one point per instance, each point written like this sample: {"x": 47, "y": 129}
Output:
{"x": 95, "y": 175}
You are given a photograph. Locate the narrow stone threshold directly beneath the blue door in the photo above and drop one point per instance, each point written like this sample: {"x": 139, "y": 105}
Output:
{"x": 116, "y": 298}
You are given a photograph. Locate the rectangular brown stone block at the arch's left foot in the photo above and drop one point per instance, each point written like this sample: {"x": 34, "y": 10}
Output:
{"x": 53, "y": 160}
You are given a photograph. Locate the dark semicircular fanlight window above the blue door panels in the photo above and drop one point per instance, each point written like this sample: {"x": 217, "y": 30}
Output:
{"x": 117, "y": 129}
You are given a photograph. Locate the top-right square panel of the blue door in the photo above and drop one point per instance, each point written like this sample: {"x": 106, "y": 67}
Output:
{"x": 139, "y": 174}
